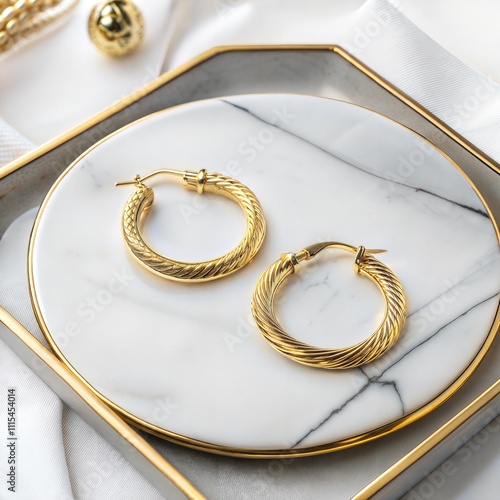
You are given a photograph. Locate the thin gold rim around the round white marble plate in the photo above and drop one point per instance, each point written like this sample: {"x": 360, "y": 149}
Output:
{"x": 264, "y": 453}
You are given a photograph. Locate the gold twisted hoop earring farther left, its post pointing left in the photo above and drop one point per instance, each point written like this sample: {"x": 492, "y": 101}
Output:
{"x": 201, "y": 181}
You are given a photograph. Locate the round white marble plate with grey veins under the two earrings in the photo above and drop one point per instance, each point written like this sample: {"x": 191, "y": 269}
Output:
{"x": 185, "y": 360}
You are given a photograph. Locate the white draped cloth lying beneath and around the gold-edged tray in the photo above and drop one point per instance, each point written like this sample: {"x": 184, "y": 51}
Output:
{"x": 61, "y": 80}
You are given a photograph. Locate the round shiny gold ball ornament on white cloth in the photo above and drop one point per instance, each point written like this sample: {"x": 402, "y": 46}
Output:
{"x": 116, "y": 27}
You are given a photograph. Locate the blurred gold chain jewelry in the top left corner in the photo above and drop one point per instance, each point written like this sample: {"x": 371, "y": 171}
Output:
{"x": 21, "y": 18}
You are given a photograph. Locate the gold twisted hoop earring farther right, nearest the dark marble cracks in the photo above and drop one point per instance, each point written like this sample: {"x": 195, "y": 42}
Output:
{"x": 358, "y": 354}
